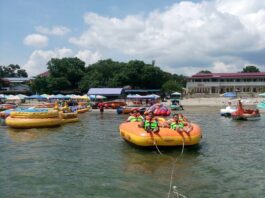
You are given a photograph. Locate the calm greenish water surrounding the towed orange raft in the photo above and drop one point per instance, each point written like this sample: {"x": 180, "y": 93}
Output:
{"x": 89, "y": 159}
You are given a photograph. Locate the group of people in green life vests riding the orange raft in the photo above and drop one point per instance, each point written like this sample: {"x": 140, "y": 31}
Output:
{"x": 151, "y": 124}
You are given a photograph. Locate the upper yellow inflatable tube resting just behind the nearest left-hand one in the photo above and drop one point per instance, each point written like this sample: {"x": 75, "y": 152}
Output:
{"x": 34, "y": 115}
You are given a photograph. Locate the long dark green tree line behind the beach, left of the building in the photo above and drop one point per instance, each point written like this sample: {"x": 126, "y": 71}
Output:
{"x": 71, "y": 74}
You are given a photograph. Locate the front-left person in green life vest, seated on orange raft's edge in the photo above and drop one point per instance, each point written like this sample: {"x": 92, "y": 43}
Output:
{"x": 150, "y": 124}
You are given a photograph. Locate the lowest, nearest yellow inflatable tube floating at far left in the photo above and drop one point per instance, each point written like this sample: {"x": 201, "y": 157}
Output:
{"x": 33, "y": 123}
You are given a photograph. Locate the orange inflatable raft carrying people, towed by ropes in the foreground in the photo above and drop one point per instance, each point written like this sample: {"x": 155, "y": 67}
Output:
{"x": 165, "y": 137}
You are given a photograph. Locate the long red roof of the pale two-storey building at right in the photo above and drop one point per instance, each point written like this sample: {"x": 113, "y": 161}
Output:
{"x": 229, "y": 75}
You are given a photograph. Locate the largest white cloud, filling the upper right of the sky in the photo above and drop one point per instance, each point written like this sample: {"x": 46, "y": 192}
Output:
{"x": 221, "y": 35}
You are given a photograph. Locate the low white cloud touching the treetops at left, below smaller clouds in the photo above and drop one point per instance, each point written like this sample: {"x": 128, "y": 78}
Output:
{"x": 37, "y": 62}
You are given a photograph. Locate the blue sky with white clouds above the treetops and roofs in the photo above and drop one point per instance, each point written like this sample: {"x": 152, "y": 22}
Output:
{"x": 183, "y": 37}
